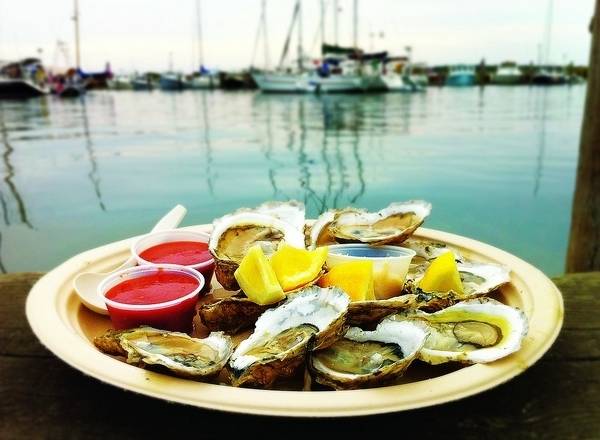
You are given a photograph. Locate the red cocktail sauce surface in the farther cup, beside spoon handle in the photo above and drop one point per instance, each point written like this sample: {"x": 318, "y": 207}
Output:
{"x": 185, "y": 253}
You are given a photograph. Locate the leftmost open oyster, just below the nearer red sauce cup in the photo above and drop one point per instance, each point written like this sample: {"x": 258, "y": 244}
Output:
{"x": 183, "y": 355}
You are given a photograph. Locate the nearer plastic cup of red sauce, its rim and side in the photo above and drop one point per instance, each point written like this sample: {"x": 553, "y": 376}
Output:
{"x": 175, "y": 315}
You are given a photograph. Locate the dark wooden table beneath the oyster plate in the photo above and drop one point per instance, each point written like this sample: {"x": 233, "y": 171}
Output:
{"x": 559, "y": 397}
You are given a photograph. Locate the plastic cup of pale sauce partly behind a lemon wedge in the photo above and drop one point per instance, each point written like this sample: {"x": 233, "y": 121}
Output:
{"x": 390, "y": 264}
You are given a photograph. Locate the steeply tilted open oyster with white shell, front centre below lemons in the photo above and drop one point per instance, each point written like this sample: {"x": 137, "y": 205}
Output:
{"x": 309, "y": 319}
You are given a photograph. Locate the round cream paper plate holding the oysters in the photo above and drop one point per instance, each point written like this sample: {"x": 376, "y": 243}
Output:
{"x": 67, "y": 328}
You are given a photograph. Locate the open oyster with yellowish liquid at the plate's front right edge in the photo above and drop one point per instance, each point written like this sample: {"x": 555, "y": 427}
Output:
{"x": 474, "y": 331}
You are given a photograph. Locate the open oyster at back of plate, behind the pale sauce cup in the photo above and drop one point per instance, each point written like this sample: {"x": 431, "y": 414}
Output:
{"x": 393, "y": 224}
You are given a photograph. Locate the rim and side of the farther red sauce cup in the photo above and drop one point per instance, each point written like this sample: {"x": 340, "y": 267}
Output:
{"x": 206, "y": 268}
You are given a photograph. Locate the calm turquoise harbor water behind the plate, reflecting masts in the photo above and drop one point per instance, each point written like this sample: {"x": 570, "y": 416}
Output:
{"x": 498, "y": 164}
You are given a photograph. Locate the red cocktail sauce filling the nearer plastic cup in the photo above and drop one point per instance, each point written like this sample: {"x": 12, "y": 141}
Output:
{"x": 155, "y": 288}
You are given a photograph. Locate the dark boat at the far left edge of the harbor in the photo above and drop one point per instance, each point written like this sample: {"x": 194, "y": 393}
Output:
{"x": 23, "y": 79}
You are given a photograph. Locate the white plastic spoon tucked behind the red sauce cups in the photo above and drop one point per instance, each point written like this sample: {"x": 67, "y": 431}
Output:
{"x": 86, "y": 283}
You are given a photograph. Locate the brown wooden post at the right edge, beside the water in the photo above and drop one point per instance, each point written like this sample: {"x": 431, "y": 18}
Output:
{"x": 584, "y": 242}
